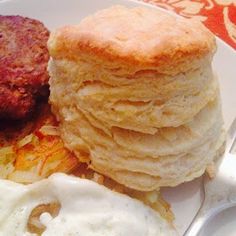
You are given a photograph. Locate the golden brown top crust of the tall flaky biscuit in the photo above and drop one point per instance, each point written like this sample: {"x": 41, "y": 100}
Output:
{"x": 138, "y": 36}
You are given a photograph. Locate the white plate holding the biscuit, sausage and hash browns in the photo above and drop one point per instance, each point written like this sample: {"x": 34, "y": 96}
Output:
{"x": 186, "y": 198}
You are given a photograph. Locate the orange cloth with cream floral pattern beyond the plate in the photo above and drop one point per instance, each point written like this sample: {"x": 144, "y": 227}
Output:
{"x": 219, "y": 16}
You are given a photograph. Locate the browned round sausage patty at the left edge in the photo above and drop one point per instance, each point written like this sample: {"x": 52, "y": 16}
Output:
{"x": 23, "y": 65}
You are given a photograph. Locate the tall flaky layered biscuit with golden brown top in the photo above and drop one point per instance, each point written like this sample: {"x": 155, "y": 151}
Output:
{"x": 135, "y": 95}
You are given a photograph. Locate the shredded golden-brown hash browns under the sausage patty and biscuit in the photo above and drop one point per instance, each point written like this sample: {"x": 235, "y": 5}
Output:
{"x": 35, "y": 151}
